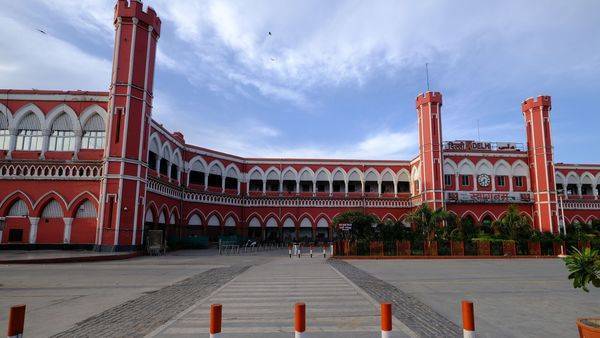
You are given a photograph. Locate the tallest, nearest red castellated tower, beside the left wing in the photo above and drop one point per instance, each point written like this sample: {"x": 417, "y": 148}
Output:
{"x": 123, "y": 187}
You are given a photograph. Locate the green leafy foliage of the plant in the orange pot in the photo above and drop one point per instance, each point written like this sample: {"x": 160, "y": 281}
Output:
{"x": 584, "y": 268}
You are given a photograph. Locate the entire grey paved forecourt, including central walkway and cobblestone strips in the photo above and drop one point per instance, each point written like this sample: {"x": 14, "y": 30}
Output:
{"x": 170, "y": 296}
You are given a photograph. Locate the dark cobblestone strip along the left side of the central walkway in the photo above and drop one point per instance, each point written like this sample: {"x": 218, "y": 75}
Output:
{"x": 138, "y": 317}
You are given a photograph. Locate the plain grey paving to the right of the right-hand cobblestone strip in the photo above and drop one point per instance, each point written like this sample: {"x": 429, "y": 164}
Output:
{"x": 513, "y": 298}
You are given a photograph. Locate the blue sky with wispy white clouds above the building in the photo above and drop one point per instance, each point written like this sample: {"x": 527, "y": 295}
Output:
{"x": 335, "y": 79}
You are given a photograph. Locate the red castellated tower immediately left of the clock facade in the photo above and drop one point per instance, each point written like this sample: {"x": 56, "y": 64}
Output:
{"x": 429, "y": 107}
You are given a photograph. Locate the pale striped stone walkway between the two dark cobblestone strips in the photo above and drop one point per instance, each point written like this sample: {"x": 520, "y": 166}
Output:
{"x": 259, "y": 303}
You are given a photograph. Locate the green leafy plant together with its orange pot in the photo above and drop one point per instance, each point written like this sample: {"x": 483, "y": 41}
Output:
{"x": 584, "y": 268}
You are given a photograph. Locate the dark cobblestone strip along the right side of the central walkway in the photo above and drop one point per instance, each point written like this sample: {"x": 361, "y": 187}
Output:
{"x": 416, "y": 315}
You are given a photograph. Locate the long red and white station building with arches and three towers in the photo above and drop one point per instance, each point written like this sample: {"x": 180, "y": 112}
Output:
{"x": 93, "y": 169}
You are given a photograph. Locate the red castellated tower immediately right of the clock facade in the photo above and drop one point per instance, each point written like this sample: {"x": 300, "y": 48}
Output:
{"x": 541, "y": 162}
